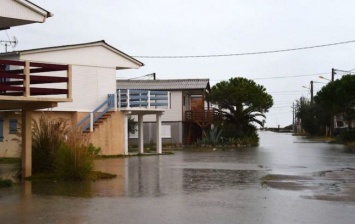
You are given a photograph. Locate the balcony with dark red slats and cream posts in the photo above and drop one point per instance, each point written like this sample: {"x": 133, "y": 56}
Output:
{"x": 32, "y": 85}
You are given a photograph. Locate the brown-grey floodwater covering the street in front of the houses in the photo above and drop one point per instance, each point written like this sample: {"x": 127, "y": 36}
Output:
{"x": 310, "y": 183}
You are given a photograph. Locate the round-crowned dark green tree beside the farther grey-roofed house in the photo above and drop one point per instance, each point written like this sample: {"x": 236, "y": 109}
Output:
{"x": 241, "y": 102}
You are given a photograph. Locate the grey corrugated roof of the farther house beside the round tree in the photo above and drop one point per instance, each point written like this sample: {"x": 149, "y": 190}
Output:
{"x": 164, "y": 84}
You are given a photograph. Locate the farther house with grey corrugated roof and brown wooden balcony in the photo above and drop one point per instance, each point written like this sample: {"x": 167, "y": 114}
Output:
{"x": 188, "y": 113}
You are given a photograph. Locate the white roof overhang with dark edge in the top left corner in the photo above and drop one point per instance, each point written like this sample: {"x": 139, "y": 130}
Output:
{"x": 21, "y": 12}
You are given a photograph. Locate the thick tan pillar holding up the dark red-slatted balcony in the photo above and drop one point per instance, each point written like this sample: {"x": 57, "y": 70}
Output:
{"x": 26, "y": 144}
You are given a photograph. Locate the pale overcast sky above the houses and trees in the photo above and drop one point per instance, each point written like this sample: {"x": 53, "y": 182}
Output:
{"x": 210, "y": 27}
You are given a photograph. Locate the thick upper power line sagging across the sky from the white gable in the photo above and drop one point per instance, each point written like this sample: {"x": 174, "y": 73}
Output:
{"x": 248, "y": 53}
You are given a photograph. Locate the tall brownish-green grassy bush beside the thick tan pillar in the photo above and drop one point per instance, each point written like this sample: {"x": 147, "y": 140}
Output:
{"x": 60, "y": 151}
